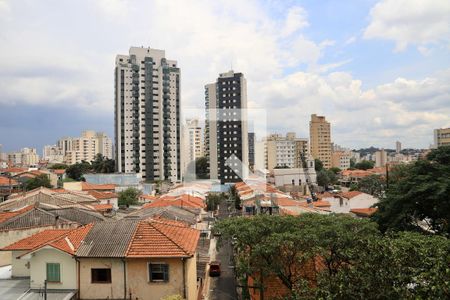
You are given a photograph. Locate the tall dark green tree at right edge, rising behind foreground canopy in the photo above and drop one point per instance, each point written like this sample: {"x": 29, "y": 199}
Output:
{"x": 418, "y": 196}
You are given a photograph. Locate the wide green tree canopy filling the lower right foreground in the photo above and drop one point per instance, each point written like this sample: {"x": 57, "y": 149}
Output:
{"x": 337, "y": 257}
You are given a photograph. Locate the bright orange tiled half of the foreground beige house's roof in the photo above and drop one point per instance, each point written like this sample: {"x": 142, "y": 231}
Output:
{"x": 160, "y": 238}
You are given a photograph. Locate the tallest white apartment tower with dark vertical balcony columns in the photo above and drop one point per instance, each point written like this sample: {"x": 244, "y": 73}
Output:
{"x": 147, "y": 115}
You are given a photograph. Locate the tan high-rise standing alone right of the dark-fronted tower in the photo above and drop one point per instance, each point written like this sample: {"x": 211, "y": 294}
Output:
{"x": 320, "y": 140}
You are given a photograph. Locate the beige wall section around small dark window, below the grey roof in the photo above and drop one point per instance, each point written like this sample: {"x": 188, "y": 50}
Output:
{"x": 113, "y": 290}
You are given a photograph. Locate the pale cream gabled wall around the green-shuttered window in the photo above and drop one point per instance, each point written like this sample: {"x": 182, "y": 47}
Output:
{"x": 38, "y": 269}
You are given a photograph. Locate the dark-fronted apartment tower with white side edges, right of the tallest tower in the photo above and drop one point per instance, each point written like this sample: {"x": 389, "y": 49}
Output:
{"x": 226, "y": 125}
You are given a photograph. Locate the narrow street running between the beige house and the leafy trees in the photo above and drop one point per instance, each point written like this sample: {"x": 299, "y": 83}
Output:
{"x": 224, "y": 286}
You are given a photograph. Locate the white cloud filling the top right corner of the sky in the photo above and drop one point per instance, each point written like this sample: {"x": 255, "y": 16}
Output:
{"x": 422, "y": 23}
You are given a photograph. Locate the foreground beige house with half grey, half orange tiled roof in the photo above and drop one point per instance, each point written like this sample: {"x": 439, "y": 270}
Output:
{"x": 147, "y": 259}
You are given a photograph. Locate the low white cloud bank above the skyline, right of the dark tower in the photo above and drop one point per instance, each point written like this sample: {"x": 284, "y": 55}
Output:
{"x": 405, "y": 109}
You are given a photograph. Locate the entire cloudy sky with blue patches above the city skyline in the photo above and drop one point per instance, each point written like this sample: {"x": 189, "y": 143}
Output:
{"x": 379, "y": 70}
